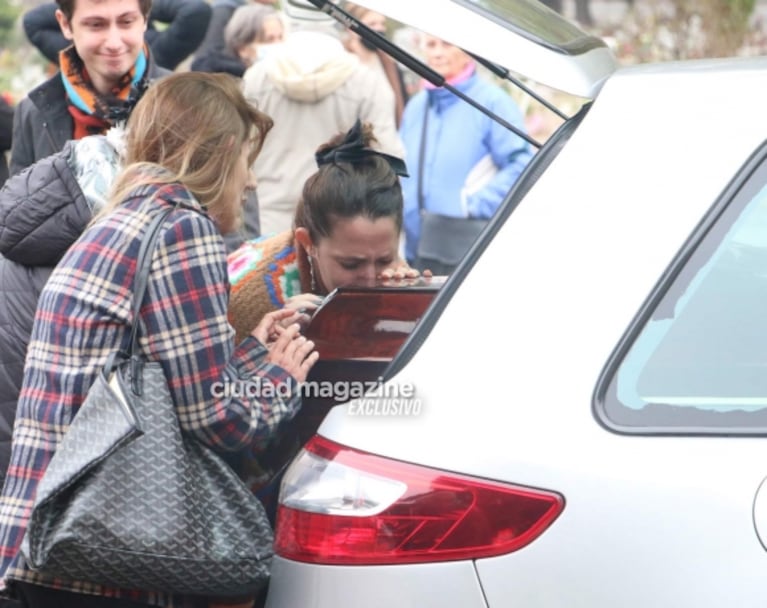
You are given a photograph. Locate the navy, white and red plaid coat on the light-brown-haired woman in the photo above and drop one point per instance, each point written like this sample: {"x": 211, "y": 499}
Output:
{"x": 84, "y": 314}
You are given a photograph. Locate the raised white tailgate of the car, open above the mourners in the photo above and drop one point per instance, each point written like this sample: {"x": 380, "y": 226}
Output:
{"x": 523, "y": 36}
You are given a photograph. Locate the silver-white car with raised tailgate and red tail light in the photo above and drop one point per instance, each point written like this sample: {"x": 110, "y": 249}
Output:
{"x": 579, "y": 419}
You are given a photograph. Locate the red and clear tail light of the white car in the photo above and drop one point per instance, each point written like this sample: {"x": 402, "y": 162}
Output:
{"x": 343, "y": 506}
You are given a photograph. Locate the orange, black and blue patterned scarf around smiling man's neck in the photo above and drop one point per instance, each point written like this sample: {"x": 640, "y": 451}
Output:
{"x": 93, "y": 112}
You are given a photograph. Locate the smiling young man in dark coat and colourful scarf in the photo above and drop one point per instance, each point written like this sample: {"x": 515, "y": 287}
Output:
{"x": 102, "y": 75}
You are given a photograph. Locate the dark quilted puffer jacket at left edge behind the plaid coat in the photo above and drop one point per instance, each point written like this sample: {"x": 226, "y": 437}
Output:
{"x": 42, "y": 212}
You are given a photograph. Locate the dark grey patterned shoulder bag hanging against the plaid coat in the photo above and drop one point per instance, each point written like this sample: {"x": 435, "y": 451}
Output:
{"x": 128, "y": 501}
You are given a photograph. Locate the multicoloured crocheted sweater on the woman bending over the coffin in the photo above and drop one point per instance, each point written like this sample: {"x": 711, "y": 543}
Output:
{"x": 264, "y": 273}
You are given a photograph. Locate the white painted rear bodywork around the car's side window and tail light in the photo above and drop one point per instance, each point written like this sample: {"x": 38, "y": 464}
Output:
{"x": 506, "y": 377}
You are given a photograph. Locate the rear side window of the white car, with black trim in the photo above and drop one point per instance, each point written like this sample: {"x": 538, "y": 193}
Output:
{"x": 696, "y": 360}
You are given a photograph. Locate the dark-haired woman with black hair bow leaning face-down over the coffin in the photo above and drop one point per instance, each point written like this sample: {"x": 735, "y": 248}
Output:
{"x": 346, "y": 230}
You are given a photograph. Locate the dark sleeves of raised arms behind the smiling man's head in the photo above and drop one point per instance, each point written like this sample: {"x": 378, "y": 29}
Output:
{"x": 186, "y": 20}
